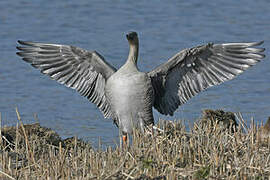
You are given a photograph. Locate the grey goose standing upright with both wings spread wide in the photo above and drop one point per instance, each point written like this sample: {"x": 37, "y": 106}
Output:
{"x": 127, "y": 95}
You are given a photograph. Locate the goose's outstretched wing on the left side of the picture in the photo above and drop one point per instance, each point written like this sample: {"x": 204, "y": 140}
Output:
{"x": 72, "y": 66}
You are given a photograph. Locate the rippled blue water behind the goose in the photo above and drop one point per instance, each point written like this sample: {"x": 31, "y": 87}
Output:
{"x": 164, "y": 28}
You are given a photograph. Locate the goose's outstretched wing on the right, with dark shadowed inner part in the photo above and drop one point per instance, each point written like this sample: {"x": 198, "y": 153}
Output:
{"x": 195, "y": 69}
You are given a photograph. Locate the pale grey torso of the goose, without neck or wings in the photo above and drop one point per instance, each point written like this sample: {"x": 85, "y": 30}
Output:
{"x": 130, "y": 97}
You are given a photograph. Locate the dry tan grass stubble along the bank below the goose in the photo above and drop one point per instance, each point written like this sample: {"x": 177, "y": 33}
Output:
{"x": 207, "y": 151}
